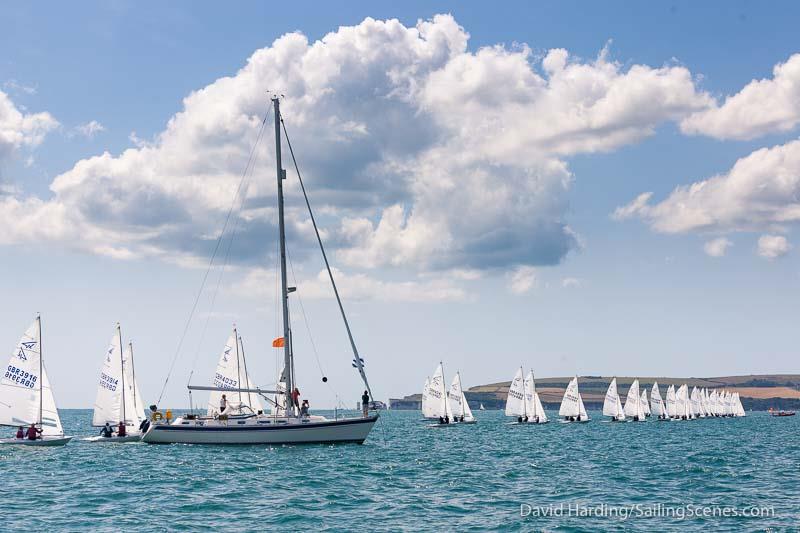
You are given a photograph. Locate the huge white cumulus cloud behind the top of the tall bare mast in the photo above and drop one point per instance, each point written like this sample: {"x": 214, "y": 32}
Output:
{"x": 419, "y": 153}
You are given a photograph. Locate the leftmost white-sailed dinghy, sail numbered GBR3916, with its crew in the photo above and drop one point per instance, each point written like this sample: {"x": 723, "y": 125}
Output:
{"x": 25, "y": 395}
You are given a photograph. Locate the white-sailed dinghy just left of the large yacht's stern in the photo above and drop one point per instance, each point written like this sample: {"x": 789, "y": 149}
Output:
{"x": 117, "y": 398}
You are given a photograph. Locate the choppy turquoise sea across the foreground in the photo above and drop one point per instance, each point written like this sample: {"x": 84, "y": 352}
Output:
{"x": 407, "y": 476}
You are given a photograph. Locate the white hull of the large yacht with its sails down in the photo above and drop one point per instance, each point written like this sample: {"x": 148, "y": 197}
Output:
{"x": 261, "y": 431}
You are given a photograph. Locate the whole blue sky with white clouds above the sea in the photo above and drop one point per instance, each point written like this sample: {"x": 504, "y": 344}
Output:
{"x": 576, "y": 188}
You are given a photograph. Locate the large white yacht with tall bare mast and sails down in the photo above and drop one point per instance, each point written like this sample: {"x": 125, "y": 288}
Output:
{"x": 293, "y": 427}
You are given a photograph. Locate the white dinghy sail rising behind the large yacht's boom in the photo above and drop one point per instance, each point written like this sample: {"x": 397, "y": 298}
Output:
{"x": 231, "y": 373}
